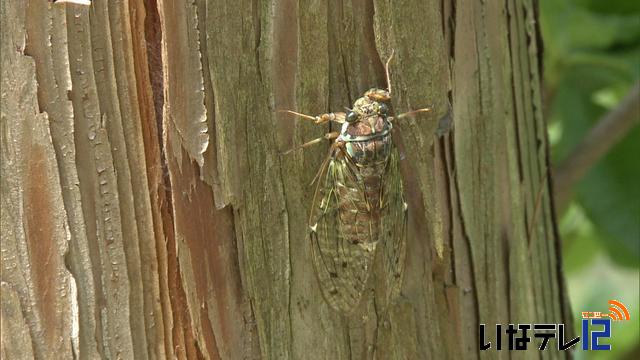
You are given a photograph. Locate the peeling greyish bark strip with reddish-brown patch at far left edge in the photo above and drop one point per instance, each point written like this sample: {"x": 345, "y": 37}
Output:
{"x": 39, "y": 309}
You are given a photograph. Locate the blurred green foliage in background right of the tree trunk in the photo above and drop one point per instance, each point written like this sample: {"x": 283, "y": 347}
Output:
{"x": 591, "y": 60}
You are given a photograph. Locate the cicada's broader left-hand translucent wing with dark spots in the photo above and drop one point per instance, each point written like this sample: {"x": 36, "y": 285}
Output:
{"x": 342, "y": 266}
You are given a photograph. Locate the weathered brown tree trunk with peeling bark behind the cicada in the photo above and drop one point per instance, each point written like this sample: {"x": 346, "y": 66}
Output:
{"x": 147, "y": 211}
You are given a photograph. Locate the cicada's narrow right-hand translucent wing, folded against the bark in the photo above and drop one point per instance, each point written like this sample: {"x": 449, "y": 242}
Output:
{"x": 393, "y": 234}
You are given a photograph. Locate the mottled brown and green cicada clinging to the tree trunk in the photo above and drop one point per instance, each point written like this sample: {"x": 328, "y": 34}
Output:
{"x": 359, "y": 210}
